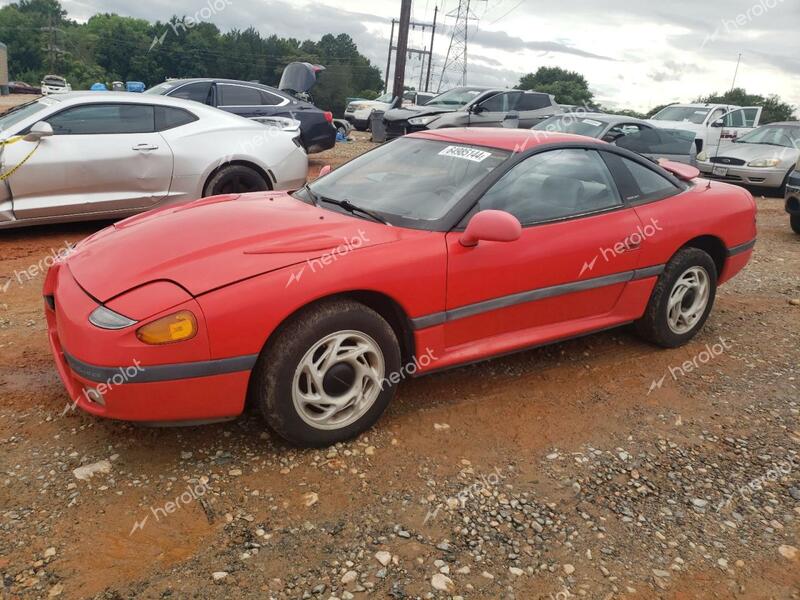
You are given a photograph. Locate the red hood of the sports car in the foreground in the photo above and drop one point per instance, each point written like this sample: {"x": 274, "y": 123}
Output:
{"x": 209, "y": 243}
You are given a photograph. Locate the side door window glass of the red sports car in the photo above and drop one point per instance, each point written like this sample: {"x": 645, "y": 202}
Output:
{"x": 554, "y": 185}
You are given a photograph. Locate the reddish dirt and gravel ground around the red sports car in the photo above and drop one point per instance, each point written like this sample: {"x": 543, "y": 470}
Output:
{"x": 593, "y": 468}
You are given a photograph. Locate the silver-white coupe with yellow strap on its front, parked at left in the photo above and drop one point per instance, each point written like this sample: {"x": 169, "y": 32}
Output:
{"x": 98, "y": 156}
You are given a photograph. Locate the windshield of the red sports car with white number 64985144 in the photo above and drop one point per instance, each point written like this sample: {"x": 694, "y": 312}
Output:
{"x": 409, "y": 181}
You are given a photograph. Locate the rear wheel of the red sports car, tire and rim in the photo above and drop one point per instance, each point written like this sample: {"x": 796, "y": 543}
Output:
{"x": 688, "y": 267}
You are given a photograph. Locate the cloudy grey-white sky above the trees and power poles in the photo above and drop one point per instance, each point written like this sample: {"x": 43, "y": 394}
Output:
{"x": 634, "y": 54}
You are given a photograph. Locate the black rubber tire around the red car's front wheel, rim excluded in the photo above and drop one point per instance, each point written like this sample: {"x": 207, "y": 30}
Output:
{"x": 280, "y": 363}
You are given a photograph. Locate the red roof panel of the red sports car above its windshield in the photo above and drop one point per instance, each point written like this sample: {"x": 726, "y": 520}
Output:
{"x": 500, "y": 138}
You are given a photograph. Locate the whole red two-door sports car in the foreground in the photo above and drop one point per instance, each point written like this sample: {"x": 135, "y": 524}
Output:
{"x": 434, "y": 250}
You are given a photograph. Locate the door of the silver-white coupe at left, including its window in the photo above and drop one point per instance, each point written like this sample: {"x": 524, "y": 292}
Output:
{"x": 102, "y": 157}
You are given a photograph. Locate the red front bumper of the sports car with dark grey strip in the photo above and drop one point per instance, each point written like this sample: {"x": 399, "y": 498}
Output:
{"x": 110, "y": 374}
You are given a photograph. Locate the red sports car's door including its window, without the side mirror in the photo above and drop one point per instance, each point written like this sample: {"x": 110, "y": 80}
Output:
{"x": 575, "y": 256}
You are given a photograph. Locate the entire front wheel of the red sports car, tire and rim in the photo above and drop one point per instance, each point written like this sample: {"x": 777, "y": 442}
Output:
{"x": 282, "y": 375}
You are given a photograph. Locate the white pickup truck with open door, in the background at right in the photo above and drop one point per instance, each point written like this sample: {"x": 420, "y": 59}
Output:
{"x": 712, "y": 123}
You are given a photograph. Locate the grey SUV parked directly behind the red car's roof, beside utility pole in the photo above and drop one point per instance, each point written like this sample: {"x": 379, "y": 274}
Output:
{"x": 473, "y": 107}
